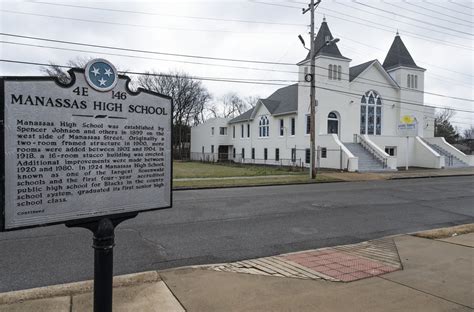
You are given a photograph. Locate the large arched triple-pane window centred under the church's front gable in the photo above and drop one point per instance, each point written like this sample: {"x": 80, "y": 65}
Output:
{"x": 371, "y": 113}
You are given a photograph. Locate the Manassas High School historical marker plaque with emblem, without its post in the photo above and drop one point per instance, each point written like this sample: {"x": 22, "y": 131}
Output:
{"x": 91, "y": 148}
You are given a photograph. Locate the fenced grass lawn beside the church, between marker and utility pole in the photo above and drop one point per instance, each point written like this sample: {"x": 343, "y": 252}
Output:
{"x": 207, "y": 170}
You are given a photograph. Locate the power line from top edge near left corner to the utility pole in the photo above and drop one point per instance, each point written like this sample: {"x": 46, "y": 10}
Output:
{"x": 169, "y": 15}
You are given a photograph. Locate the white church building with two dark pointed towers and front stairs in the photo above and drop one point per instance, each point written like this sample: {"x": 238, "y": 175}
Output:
{"x": 359, "y": 113}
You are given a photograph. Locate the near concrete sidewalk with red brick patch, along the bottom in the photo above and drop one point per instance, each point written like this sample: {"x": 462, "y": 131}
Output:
{"x": 433, "y": 275}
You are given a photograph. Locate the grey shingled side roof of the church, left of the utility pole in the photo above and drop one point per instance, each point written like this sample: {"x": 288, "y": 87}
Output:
{"x": 282, "y": 101}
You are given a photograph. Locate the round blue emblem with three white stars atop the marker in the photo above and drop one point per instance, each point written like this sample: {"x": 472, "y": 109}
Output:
{"x": 101, "y": 75}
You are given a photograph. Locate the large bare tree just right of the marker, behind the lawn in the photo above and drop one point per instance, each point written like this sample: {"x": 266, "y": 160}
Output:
{"x": 189, "y": 99}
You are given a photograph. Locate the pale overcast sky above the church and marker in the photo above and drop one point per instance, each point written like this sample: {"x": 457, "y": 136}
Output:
{"x": 438, "y": 34}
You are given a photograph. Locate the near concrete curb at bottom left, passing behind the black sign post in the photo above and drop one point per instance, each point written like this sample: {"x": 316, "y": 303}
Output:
{"x": 76, "y": 288}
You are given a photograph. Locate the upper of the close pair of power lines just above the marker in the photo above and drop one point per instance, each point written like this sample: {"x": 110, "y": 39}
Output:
{"x": 144, "y": 51}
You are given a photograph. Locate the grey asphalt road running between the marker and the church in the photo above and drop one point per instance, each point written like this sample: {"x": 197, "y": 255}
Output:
{"x": 212, "y": 226}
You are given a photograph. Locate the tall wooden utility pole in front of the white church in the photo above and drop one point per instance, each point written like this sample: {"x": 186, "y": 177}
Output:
{"x": 312, "y": 95}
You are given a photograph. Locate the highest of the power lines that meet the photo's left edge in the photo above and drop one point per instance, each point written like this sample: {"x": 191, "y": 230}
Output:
{"x": 137, "y": 25}
